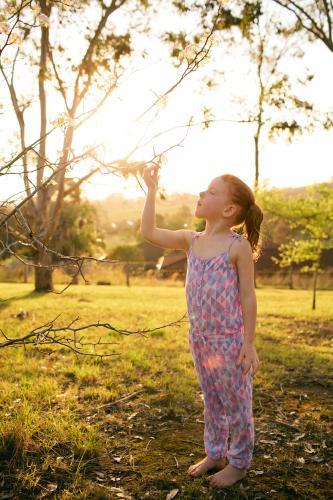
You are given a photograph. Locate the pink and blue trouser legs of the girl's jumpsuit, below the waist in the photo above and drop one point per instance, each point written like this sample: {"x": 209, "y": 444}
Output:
{"x": 227, "y": 397}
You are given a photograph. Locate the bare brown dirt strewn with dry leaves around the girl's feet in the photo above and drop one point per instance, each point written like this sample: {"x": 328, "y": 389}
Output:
{"x": 293, "y": 455}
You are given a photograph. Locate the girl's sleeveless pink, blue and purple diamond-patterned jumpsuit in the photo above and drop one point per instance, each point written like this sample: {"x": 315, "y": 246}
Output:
{"x": 216, "y": 335}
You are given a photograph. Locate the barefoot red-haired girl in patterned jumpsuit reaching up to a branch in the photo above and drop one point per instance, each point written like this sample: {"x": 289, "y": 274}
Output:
{"x": 222, "y": 310}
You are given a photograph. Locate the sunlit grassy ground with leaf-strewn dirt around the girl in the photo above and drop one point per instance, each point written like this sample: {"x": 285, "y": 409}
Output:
{"x": 63, "y": 433}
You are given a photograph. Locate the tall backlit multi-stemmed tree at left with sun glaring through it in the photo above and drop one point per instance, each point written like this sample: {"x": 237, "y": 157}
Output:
{"x": 72, "y": 53}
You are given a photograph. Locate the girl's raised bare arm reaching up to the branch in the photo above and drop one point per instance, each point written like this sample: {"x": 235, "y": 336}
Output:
{"x": 165, "y": 238}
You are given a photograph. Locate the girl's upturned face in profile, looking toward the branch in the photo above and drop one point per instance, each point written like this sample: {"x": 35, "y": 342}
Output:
{"x": 215, "y": 202}
